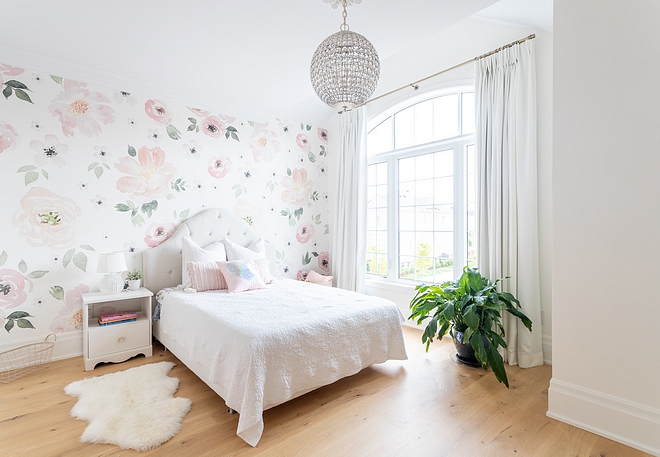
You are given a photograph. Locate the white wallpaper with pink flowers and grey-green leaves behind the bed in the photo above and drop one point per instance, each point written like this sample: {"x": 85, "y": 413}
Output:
{"x": 88, "y": 169}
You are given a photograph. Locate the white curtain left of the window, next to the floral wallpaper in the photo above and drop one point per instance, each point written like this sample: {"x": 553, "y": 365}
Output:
{"x": 349, "y": 222}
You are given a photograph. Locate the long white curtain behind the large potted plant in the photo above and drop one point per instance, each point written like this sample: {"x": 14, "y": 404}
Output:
{"x": 505, "y": 93}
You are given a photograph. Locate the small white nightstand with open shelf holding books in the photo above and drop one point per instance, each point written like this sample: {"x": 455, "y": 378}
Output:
{"x": 119, "y": 342}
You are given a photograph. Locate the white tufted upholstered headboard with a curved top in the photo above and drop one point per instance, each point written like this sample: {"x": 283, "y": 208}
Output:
{"x": 162, "y": 264}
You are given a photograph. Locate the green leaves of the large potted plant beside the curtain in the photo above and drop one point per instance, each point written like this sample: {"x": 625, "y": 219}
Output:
{"x": 470, "y": 309}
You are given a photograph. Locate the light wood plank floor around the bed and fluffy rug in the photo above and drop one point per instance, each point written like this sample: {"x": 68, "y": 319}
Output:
{"x": 425, "y": 406}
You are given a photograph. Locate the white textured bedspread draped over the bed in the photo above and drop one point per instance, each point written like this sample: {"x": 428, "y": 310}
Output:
{"x": 268, "y": 346}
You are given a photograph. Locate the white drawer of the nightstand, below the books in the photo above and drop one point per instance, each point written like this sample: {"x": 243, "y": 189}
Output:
{"x": 119, "y": 337}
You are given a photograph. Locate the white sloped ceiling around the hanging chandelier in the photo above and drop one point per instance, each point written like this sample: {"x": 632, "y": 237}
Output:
{"x": 242, "y": 57}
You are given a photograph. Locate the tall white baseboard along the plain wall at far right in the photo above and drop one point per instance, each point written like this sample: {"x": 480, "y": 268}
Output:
{"x": 621, "y": 420}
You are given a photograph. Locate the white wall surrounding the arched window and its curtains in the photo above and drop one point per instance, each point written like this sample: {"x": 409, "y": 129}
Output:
{"x": 456, "y": 44}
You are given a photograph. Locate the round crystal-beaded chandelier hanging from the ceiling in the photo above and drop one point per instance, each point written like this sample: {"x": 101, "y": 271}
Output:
{"x": 345, "y": 67}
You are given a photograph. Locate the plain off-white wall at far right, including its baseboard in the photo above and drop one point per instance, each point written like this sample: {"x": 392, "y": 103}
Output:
{"x": 606, "y": 214}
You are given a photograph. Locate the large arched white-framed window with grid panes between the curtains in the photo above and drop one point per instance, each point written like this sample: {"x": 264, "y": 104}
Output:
{"x": 421, "y": 190}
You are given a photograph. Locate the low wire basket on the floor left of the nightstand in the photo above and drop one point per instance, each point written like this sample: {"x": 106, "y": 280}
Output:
{"x": 27, "y": 359}
